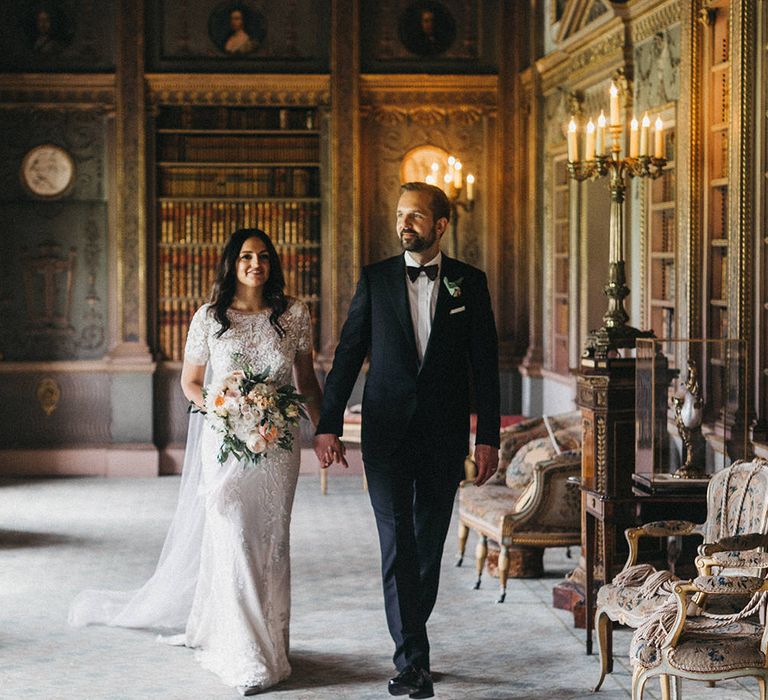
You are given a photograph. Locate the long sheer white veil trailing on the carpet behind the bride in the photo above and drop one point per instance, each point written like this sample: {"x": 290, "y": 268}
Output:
{"x": 165, "y": 600}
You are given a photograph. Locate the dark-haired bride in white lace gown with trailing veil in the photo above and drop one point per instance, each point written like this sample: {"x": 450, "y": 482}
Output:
{"x": 223, "y": 579}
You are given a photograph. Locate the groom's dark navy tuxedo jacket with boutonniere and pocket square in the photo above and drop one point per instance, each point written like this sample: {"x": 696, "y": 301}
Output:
{"x": 434, "y": 398}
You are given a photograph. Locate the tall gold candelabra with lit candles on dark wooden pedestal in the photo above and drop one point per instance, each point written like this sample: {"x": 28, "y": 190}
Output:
{"x": 604, "y": 342}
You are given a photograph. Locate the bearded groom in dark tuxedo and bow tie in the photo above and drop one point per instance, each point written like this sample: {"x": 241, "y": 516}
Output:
{"x": 426, "y": 321}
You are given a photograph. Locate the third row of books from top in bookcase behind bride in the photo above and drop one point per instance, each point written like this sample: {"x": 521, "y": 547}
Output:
{"x": 198, "y": 181}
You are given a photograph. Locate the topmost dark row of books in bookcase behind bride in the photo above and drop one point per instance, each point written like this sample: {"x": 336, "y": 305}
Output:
{"x": 194, "y": 117}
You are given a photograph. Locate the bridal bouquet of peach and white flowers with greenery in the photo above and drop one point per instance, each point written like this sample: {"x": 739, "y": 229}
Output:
{"x": 252, "y": 413}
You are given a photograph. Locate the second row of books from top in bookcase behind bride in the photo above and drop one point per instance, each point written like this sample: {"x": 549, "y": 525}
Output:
{"x": 240, "y": 149}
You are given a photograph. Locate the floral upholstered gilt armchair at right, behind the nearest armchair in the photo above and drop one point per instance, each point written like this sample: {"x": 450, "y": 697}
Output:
{"x": 737, "y": 503}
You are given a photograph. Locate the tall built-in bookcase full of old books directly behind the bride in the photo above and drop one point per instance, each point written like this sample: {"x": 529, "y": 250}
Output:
{"x": 222, "y": 168}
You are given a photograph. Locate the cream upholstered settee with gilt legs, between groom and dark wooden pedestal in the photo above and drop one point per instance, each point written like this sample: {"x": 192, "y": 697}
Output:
{"x": 530, "y": 504}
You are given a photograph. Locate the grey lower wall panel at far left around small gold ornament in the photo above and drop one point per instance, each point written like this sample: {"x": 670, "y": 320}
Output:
{"x": 81, "y": 417}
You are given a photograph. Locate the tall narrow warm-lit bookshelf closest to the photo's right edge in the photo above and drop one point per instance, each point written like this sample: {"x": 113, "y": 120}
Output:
{"x": 716, "y": 86}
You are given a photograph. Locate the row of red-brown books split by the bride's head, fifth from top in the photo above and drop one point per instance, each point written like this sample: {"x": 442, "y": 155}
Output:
{"x": 189, "y": 271}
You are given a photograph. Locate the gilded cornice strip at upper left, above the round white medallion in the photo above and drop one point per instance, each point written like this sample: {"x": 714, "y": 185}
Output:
{"x": 59, "y": 91}
